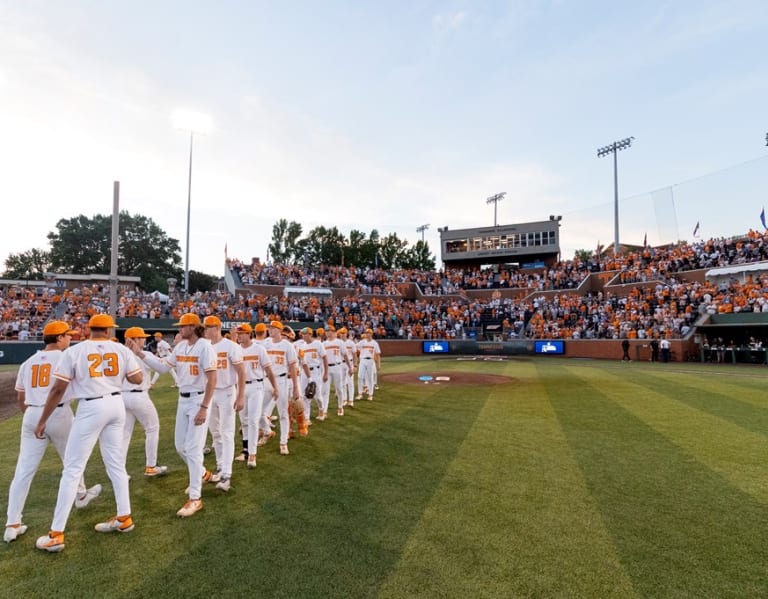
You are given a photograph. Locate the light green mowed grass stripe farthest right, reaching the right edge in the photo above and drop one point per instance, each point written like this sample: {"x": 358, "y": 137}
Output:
{"x": 704, "y": 427}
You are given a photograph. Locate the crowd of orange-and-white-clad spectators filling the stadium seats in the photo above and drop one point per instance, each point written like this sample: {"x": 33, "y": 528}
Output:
{"x": 442, "y": 311}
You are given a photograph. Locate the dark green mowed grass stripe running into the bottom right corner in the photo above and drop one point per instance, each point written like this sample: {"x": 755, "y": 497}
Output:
{"x": 681, "y": 529}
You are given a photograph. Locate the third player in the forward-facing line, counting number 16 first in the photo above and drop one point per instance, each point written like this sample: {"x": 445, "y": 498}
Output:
{"x": 257, "y": 368}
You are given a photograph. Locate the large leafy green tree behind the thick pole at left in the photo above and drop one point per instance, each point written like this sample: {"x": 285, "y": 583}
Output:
{"x": 82, "y": 245}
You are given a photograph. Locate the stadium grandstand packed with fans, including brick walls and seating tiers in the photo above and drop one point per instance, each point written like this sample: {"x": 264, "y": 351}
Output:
{"x": 702, "y": 296}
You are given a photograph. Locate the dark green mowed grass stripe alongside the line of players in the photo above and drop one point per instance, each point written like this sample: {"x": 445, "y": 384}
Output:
{"x": 343, "y": 514}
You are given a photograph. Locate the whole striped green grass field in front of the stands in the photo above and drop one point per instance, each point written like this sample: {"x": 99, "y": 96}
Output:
{"x": 576, "y": 479}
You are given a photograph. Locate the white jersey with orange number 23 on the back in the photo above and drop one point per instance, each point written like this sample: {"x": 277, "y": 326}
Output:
{"x": 95, "y": 367}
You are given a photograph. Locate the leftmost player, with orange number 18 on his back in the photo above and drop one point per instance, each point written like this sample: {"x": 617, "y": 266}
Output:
{"x": 32, "y": 385}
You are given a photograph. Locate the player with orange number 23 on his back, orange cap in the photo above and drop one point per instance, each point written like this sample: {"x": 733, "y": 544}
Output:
{"x": 95, "y": 370}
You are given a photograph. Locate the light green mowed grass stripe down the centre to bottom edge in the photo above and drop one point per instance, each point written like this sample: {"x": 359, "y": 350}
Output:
{"x": 512, "y": 516}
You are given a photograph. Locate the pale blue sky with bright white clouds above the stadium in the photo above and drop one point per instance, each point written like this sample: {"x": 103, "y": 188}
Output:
{"x": 384, "y": 115}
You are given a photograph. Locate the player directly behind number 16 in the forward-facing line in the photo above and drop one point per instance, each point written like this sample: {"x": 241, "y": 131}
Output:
{"x": 227, "y": 400}
